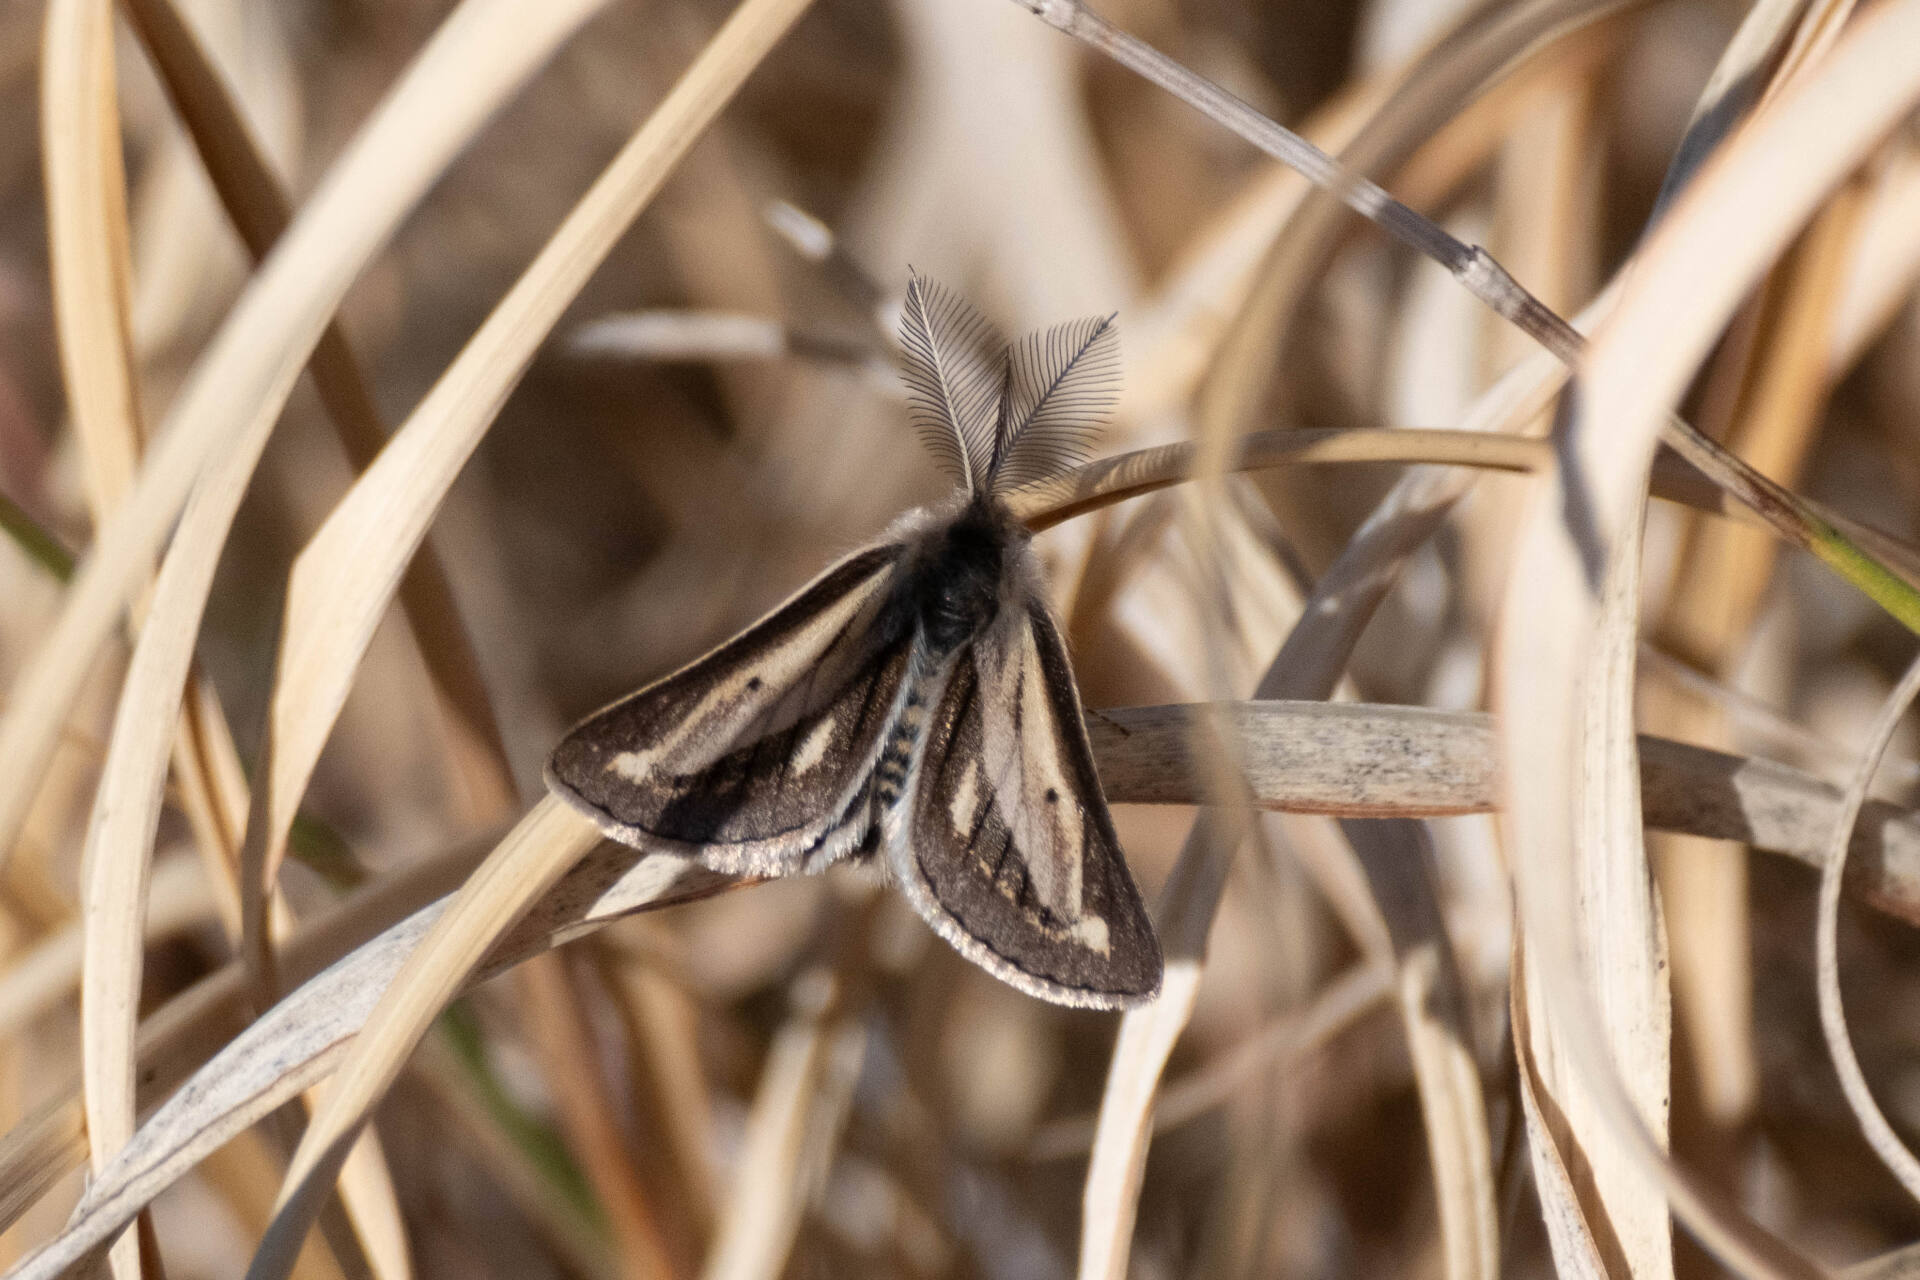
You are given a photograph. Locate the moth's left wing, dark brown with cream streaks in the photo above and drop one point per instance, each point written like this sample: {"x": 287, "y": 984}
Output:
{"x": 757, "y": 757}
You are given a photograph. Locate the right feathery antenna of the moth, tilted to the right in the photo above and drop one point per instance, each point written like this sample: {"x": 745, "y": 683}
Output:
{"x": 1063, "y": 387}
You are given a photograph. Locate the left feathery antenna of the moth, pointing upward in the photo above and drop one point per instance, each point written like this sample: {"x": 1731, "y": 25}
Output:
{"x": 955, "y": 369}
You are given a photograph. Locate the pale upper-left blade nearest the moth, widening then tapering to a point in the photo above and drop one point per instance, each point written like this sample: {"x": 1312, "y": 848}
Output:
{"x": 348, "y": 571}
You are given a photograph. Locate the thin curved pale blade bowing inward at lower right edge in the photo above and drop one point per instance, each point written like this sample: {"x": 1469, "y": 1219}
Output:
{"x": 1888, "y": 1147}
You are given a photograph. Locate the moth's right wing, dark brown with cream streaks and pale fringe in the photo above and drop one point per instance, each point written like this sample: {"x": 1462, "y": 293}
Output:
{"x": 1007, "y": 847}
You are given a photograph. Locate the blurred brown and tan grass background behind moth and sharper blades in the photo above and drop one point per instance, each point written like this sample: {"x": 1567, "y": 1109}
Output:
{"x": 627, "y": 513}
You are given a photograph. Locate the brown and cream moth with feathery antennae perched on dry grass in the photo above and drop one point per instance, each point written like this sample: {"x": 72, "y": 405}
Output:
{"x": 913, "y": 705}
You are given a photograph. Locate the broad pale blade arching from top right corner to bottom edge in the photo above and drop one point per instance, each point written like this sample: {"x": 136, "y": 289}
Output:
{"x": 1694, "y": 270}
